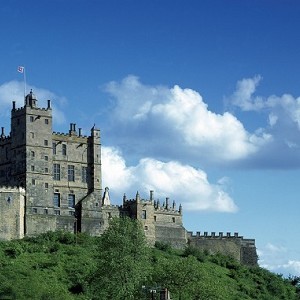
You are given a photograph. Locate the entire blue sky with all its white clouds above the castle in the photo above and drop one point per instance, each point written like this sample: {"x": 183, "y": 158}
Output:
{"x": 197, "y": 100}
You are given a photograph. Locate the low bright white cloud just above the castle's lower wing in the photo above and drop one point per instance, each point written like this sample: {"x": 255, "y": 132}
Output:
{"x": 182, "y": 183}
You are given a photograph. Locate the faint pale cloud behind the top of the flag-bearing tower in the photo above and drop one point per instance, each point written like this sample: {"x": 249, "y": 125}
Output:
{"x": 14, "y": 91}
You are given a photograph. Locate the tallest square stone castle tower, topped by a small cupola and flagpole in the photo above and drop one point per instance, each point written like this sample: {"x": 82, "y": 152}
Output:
{"x": 31, "y": 159}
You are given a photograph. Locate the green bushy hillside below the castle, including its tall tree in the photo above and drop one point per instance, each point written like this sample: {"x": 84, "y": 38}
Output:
{"x": 120, "y": 265}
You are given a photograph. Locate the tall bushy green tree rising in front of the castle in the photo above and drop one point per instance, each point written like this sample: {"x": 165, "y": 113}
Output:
{"x": 123, "y": 261}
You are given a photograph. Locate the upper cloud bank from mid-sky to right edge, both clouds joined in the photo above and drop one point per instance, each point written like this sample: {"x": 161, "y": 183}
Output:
{"x": 176, "y": 124}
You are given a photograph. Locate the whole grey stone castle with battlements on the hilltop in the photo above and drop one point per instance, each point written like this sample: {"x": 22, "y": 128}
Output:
{"x": 52, "y": 181}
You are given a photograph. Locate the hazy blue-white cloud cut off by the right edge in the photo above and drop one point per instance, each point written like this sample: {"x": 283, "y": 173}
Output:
{"x": 282, "y": 123}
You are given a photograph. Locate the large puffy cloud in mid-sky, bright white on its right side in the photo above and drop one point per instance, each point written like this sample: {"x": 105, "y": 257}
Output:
{"x": 160, "y": 114}
